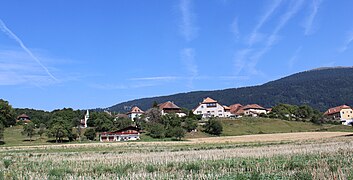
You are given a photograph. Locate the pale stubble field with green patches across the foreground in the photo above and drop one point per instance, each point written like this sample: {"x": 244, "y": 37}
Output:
{"x": 321, "y": 155}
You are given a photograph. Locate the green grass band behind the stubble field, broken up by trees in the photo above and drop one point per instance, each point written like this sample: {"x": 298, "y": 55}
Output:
{"x": 234, "y": 127}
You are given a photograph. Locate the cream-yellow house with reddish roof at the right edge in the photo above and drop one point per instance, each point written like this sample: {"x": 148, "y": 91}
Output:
{"x": 342, "y": 113}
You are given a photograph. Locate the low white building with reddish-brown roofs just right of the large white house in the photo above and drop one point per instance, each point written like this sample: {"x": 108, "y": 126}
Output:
{"x": 248, "y": 110}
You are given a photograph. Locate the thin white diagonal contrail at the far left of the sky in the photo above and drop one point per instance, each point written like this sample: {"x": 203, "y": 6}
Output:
{"x": 7, "y": 31}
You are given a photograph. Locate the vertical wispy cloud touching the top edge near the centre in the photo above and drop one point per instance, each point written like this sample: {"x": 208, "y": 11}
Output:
{"x": 187, "y": 26}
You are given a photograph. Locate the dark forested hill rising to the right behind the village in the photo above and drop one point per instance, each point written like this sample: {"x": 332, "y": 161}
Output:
{"x": 320, "y": 88}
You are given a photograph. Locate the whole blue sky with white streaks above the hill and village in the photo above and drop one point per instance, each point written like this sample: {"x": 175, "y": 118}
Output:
{"x": 89, "y": 54}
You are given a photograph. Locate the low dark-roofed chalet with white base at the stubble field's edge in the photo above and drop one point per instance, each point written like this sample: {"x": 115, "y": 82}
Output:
{"x": 130, "y": 133}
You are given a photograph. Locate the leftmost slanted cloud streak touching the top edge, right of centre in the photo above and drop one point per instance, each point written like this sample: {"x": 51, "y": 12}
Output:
{"x": 254, "y": 36}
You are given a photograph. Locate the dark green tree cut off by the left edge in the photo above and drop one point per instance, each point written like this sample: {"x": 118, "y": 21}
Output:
{"x": 7, "y": 115}
